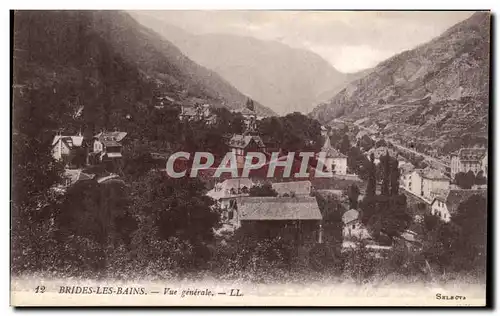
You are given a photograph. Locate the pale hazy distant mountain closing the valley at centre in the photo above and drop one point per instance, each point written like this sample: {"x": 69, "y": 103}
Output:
{"x": 283, "y": 78}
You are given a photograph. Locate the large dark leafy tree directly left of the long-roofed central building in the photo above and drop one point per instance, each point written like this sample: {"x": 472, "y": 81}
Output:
{"x": 174, "y": 215}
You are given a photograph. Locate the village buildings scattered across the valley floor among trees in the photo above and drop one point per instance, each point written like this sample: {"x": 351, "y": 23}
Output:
{"x": 280, "y": 203}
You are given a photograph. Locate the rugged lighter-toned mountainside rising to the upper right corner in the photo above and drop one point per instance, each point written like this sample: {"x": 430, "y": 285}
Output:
{"x": 436, "y": 94}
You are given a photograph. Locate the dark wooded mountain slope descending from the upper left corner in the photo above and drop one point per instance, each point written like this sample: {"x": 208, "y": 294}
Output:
{"x": 110, "y": 64}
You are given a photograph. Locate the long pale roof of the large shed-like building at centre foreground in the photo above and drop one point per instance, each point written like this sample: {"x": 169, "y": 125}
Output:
{"x": 278, "y": 208}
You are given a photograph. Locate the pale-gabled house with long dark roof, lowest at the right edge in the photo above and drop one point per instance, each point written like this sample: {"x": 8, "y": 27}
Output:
{"x": 446, "y": 206}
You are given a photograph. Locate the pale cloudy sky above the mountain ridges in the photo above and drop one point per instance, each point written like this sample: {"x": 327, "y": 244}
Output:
{"x": 349, "y": 40}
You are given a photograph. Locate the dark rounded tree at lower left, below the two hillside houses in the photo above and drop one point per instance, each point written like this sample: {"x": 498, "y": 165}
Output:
{"x": 94, "y": 218}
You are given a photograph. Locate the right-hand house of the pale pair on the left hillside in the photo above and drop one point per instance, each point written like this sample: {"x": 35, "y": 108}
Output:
{"x": 107, "y": 146}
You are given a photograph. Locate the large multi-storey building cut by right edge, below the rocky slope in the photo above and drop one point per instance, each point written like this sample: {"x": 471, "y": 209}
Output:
{"x": 475, "y": 159}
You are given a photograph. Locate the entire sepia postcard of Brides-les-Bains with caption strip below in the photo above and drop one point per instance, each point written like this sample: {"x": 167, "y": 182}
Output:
{"x": 250, "y": 158}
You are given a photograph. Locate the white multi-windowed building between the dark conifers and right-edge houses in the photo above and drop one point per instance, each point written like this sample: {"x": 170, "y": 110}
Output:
{"x": 425, "y": 183}
